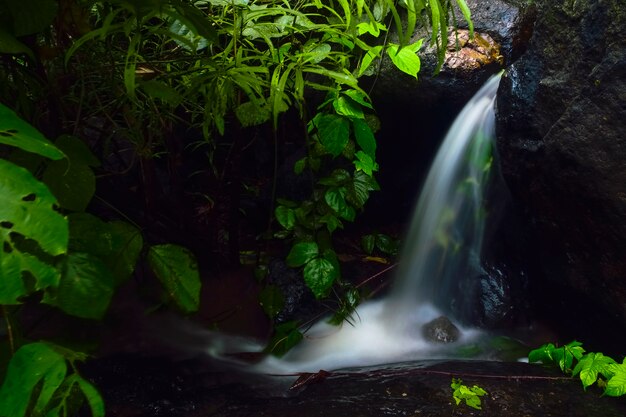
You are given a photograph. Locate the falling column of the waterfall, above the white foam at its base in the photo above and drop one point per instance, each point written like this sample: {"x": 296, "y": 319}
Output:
{"x": 445, "y": 238}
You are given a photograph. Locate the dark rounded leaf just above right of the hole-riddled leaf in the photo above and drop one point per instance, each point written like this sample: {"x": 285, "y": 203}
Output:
{"x": 73, "y": 184}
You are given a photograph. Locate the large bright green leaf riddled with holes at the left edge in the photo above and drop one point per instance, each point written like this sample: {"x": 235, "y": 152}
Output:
{"x": 26, "y": 209}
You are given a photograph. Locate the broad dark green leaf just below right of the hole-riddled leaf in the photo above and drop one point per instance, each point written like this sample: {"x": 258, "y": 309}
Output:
{"x": 85, "y": 289}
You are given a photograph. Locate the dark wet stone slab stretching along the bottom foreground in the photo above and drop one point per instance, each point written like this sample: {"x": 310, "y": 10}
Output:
{"x": 135, "y": 386}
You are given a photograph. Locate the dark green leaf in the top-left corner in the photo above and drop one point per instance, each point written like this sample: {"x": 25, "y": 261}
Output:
{"x": 31, "y": 16}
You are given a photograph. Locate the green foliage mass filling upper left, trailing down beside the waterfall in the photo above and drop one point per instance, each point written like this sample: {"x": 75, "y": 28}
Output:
{"x": 225, "y": 65}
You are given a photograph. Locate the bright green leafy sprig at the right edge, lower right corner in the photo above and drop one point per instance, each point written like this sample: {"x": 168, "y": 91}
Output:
{"x": 590, "y": 367}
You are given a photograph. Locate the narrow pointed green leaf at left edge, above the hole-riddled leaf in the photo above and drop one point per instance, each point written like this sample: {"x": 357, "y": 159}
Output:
{"x": 16, "y": 132}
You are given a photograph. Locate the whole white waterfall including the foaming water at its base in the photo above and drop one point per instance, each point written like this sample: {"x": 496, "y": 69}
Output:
{"x": 443, "y": 247}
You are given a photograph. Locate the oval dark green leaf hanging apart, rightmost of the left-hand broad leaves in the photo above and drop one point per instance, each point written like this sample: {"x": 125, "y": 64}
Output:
{"x": 177, "y": 270}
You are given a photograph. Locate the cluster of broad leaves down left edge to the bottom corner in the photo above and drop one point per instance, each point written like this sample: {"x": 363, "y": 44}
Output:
{"x": 50, "y": 246}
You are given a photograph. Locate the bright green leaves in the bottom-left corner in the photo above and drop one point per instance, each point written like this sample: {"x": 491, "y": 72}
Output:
{"x": 38, "y": 383}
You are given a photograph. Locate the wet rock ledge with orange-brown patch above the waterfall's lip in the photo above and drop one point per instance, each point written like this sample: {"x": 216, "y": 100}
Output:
{"x": 502, "y": 29}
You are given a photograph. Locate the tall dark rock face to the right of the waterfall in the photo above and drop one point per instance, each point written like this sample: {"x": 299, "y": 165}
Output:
{"x": 562, "y": 142}
